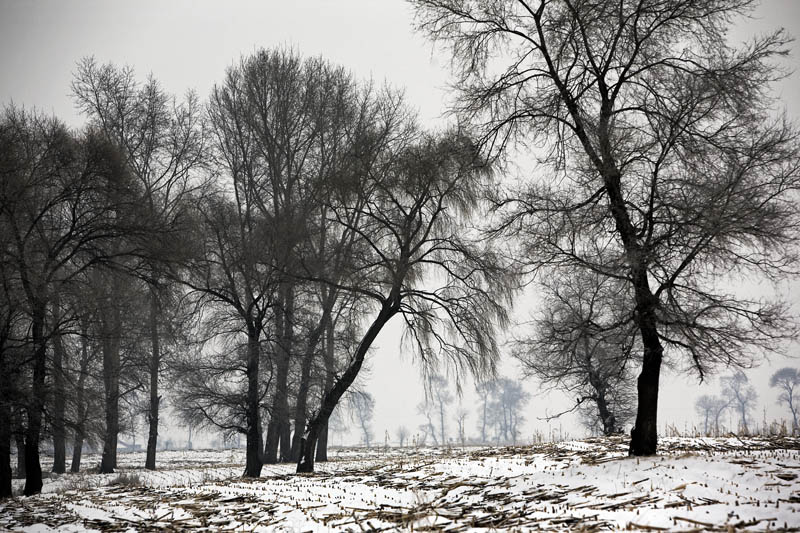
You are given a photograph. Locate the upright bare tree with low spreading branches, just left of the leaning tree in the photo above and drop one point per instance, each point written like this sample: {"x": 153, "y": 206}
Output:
{"x": 233, "y": 274}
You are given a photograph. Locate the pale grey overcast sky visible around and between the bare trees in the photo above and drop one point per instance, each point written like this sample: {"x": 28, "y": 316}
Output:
{"x": 188, "y": 44}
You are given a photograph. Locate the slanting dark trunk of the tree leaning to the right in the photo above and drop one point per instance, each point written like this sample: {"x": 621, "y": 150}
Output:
{"x": 308, "y": 444}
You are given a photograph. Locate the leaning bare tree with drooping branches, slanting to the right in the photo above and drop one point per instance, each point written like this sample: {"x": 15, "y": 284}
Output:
{"x": 408, "y": 202}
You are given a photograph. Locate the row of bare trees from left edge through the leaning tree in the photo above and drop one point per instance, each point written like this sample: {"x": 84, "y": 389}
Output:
{"x": 248, "y": 250}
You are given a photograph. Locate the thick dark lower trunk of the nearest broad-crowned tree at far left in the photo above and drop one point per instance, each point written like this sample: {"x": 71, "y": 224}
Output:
{"x": 33, "y": 468}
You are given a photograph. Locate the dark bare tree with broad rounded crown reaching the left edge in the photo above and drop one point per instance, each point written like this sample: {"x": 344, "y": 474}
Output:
{"x": 69, "y": 204}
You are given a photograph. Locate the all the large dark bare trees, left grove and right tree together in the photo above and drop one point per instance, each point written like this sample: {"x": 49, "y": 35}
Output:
{"x": 248, "y": 249}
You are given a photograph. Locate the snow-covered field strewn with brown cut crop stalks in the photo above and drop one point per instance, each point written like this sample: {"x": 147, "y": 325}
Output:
{"x": 694, "y": 484}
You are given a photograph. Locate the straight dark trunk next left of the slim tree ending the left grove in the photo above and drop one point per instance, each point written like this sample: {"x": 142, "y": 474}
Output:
{"x": 111, "y": 371}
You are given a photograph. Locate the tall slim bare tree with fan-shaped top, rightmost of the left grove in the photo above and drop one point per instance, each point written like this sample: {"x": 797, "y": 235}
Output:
{"x": 163, "y": 142}
